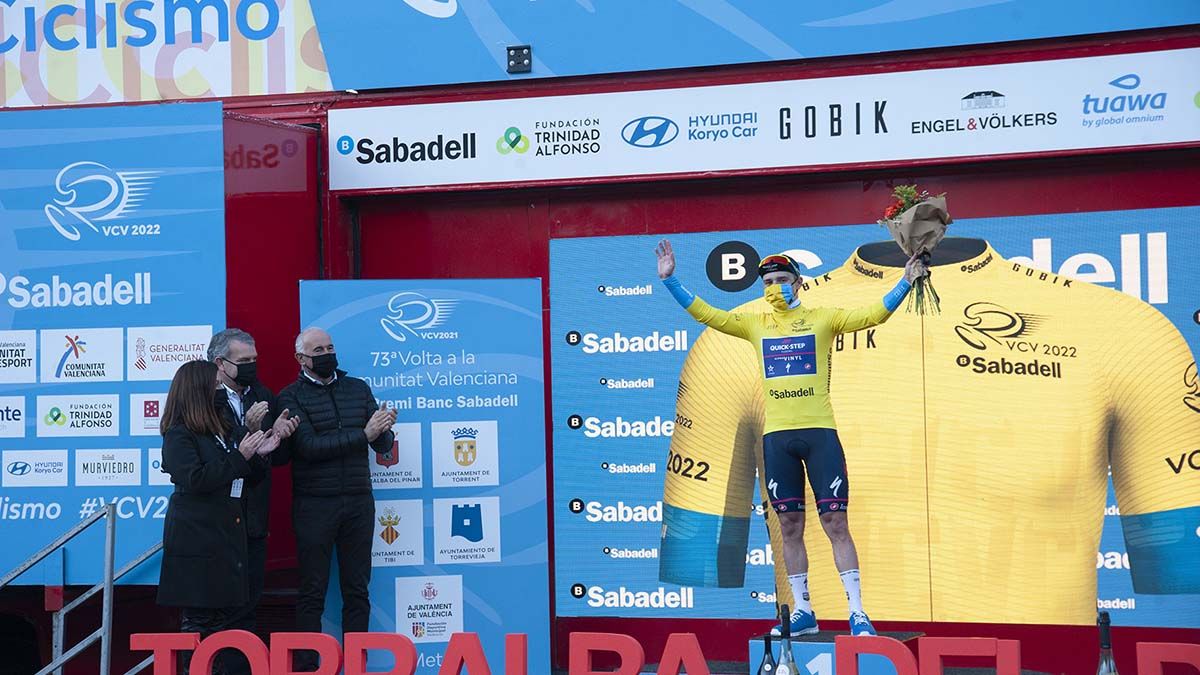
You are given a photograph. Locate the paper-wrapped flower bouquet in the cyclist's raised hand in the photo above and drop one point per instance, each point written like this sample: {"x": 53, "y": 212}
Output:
{"x": 917, "y": 222}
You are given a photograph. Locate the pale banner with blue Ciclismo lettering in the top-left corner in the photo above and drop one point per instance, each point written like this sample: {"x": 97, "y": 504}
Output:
{"x": 105, "y": 52}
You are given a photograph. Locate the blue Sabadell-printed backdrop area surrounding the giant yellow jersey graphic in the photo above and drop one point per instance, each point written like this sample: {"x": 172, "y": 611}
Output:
{"x": 608, "y": 487}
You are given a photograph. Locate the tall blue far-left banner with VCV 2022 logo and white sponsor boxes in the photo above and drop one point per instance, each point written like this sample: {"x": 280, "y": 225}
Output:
{"x": 112, "y": 244}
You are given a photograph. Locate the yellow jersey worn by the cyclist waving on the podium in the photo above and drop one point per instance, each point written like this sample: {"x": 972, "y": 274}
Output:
{"x": 794, "y": 351}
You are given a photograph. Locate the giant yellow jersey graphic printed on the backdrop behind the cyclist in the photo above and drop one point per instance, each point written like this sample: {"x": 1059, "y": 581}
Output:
{"x": 980, "y": 443}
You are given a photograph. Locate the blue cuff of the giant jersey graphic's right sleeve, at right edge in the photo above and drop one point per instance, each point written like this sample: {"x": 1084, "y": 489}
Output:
{"x": 1165, "y": 551}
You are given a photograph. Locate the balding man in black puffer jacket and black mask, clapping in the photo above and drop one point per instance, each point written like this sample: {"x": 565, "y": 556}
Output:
{"x": 333, "y": 505}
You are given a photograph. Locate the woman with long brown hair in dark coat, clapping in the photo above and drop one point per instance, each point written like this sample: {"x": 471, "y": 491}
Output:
{"x": 205, "y": 534}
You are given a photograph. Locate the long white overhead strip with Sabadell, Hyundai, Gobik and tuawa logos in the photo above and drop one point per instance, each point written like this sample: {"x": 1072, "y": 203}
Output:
{"x": 1129, "y": 100}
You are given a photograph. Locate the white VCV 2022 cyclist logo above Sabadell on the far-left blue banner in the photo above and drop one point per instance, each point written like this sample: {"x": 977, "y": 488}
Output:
{"x": 94, "y": 195}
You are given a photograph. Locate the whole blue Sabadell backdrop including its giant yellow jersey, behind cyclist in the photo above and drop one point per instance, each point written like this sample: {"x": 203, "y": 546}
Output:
{"x": 1035, "y": 312}
